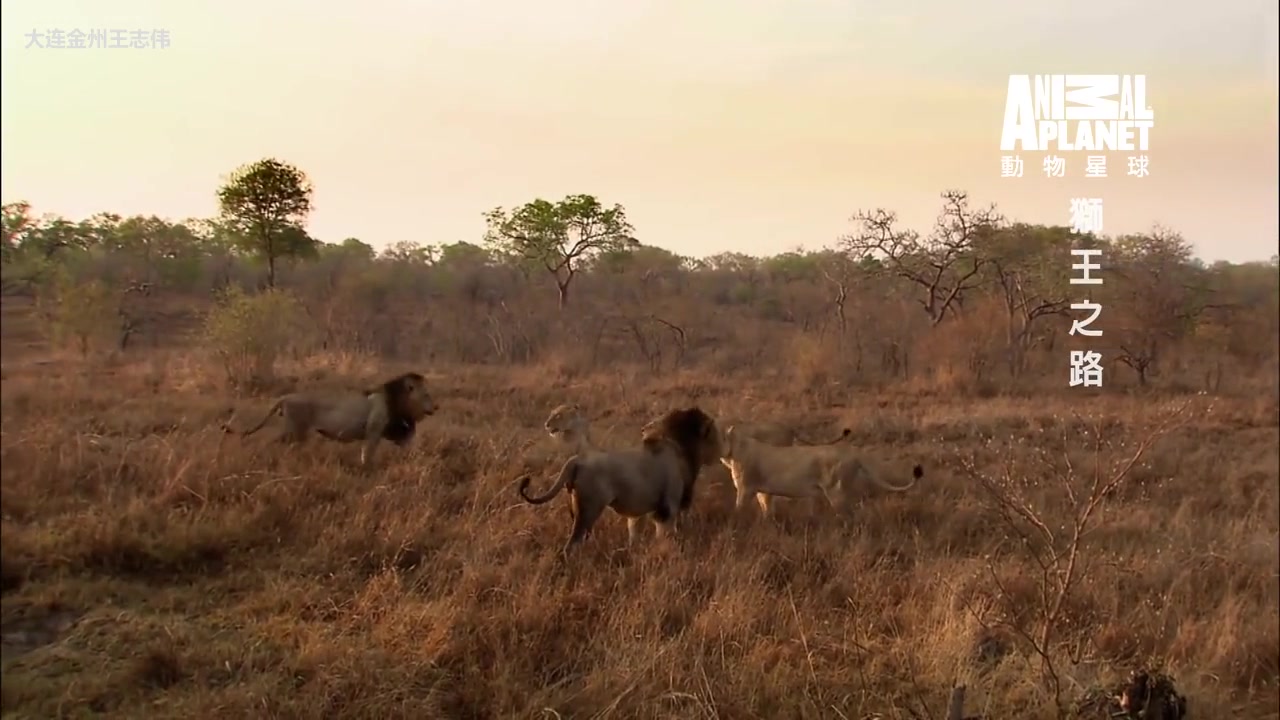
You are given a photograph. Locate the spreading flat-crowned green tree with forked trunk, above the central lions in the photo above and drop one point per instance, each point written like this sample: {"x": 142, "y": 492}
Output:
{"x": 560, "y": 238}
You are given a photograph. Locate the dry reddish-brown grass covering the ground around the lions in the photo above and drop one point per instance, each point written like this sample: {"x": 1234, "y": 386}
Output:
{"x": 153, "y": 568}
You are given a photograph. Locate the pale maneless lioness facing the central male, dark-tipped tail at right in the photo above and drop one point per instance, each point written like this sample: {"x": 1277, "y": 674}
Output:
{"x": 829, "y": 471}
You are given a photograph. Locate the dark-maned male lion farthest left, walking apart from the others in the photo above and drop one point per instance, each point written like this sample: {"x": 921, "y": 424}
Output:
{"x": 388, "y": 412}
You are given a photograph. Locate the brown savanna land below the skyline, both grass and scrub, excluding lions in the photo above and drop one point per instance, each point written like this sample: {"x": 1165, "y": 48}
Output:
{"x": 154, "y": 567}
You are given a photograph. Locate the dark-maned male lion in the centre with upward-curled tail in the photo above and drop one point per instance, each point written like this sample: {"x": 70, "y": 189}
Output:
{"x": 655, "y": 481}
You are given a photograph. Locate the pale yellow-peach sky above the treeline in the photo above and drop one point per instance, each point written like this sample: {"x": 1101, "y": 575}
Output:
{"x": 752, "y": 126}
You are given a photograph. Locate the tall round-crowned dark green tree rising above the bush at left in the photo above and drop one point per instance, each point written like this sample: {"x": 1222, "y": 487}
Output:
{"x": 266, "y": 204}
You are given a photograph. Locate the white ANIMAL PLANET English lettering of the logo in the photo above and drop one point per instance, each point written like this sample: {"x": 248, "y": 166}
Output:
{"x": 1037, "y": 115}
